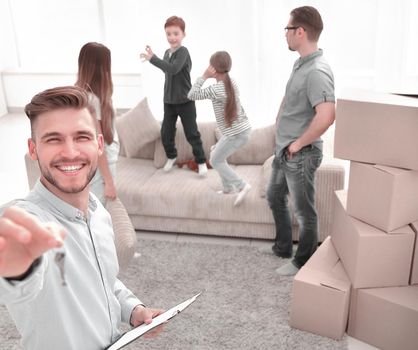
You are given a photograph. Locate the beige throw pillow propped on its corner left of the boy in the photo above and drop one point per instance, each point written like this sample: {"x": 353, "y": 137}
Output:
{"x": 136, "y": 128}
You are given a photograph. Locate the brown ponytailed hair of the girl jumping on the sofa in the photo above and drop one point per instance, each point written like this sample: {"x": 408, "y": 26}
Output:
{"x": 221, "y": 62}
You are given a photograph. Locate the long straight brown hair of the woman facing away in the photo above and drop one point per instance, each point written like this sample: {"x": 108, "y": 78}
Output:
{"x": 94, "y": 74}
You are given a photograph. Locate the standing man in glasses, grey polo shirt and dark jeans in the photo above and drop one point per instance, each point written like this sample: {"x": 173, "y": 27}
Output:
{"x": 307, "y": 110}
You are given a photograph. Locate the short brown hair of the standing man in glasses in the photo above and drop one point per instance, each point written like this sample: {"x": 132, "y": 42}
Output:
{"x": 309, "y": 19}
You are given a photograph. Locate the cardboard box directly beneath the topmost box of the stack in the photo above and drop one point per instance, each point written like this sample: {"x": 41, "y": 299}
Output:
{"x": 382, "y": 196}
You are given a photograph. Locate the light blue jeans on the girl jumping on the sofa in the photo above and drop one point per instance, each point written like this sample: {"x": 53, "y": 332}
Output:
{"x": 223, "y": 149}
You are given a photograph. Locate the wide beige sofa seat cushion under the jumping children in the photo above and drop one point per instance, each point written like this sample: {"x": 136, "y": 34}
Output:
{"x": 183, "y": 194}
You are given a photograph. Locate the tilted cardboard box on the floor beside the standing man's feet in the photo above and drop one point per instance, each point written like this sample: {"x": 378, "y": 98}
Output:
{"x": 321, "y": 294}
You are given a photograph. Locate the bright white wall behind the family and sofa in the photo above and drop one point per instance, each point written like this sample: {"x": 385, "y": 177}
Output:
{"x": 370, "y": 44}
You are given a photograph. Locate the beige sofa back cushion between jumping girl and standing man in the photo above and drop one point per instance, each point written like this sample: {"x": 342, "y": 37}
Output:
{"x": 257, "y": 150}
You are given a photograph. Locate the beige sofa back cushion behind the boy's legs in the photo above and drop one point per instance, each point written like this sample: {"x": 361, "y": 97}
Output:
{"x": 184, "y": 150}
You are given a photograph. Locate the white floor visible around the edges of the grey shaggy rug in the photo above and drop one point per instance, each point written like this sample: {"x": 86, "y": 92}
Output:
{"x": 14, "y": 132}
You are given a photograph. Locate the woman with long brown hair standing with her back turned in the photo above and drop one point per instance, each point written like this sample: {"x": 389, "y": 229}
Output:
{"x": 94, "y": 75}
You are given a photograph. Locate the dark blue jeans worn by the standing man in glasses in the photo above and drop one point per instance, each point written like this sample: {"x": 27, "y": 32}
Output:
{"x": 295, "y": 177}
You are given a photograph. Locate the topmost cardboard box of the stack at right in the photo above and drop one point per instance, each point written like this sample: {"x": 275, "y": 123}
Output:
{"x": 377, "y": 128}
